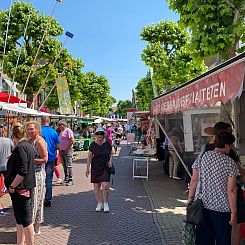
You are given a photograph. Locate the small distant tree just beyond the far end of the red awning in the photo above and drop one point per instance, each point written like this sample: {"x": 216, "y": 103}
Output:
{"x": 144, "y": 93}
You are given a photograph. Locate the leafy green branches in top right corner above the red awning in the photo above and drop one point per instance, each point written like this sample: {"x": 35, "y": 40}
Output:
{"x": 216, "y": 25}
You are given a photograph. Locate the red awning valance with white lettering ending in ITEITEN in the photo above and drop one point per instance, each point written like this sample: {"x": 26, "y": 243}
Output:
{"x": 223, "y": 86}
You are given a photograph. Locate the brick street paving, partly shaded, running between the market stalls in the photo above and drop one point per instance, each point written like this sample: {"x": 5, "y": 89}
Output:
{"x": 141, "y": 212}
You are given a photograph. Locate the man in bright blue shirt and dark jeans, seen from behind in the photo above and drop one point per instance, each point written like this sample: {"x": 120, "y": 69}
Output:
{"x": 52, "y": 140}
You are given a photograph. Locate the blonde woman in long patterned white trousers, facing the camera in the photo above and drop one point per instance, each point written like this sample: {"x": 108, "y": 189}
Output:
{"x": 34, "y": 136}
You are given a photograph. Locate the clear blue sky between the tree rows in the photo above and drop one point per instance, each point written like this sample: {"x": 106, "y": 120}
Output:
{"x": 107, "y": 35}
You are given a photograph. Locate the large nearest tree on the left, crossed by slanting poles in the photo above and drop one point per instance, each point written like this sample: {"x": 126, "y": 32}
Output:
{"x": 50, "y": 48}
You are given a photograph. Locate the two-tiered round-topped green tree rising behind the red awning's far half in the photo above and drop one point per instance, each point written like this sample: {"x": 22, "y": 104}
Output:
{"x": 168, "y": 54}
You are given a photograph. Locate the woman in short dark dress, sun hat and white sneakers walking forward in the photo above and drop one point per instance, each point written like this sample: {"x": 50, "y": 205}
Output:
{"x": 100, "y": 159}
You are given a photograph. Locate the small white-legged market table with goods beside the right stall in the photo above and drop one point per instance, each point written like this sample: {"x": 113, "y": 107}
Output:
{"x": 141, "y": 160}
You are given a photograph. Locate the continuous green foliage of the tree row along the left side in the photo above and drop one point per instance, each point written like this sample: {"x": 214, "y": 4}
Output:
{"x": 91, "y": 92}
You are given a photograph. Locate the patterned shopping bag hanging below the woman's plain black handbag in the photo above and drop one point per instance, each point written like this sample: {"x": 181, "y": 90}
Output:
{"x": 188, "y": 232}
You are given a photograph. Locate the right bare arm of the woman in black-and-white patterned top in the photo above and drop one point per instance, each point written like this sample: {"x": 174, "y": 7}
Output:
{"x": 232, "y": 198}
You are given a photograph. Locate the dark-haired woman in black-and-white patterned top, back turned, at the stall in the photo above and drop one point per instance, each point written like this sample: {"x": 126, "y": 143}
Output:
{"x": 214, "y": 181}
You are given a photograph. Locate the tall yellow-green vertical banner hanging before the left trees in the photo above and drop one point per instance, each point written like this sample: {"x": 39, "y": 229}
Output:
{"x": 64, "y": 96}
